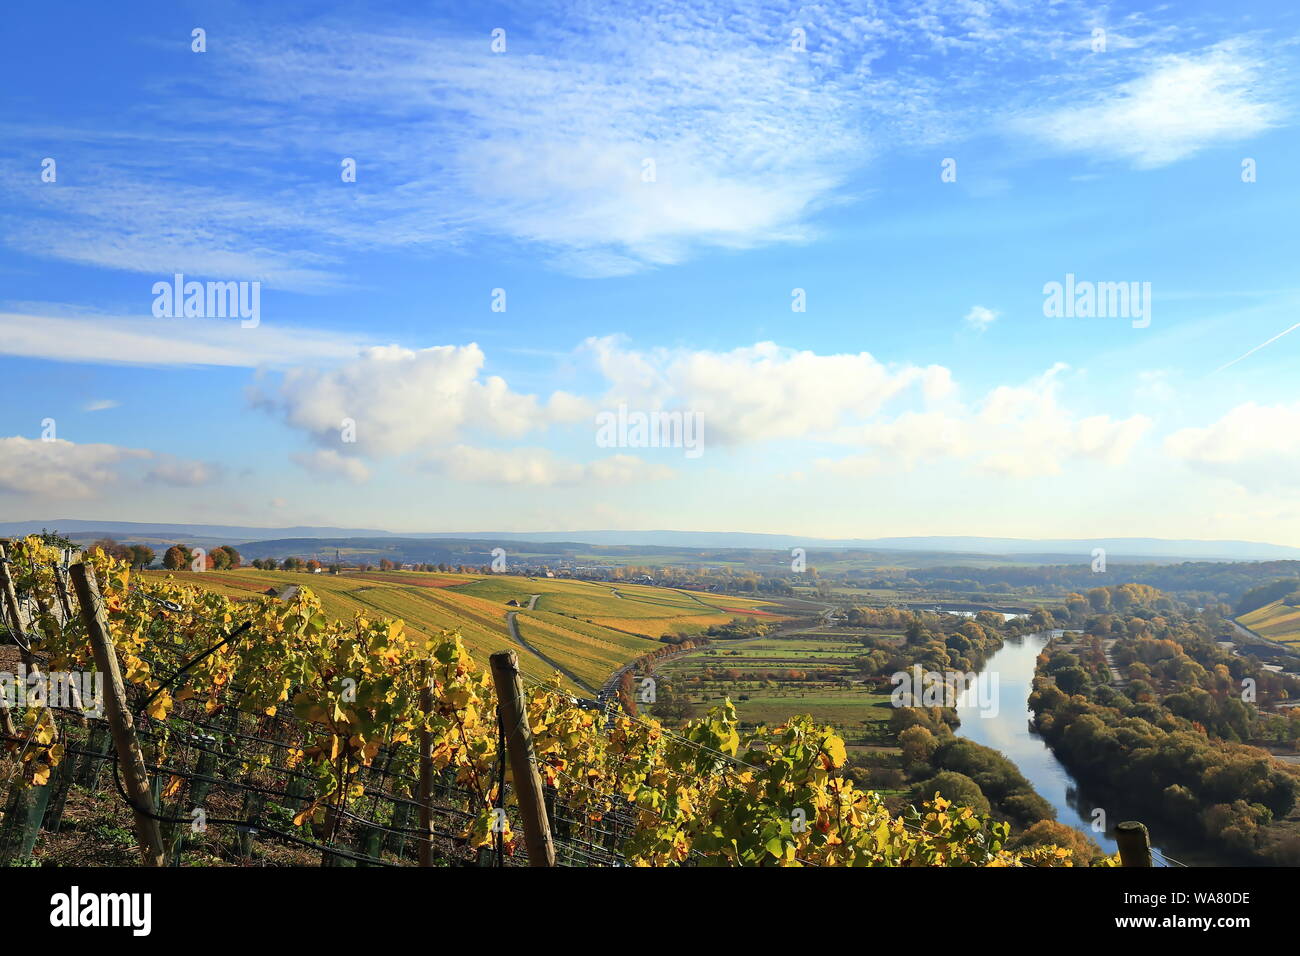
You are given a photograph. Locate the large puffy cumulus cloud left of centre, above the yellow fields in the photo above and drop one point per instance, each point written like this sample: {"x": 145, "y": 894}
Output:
{"x": 395, "y": 401}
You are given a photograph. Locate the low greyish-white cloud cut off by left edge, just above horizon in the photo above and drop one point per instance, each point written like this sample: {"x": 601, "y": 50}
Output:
{"x": 59, "y": 469}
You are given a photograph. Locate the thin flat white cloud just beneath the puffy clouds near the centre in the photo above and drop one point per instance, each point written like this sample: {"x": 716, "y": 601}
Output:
{"x": 536, "y": 466}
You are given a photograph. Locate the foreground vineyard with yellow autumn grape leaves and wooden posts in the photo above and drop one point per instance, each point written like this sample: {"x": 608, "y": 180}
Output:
{"x": 261, "y": 732}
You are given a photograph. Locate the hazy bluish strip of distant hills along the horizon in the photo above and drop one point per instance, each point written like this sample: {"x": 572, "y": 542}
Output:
{"x": 557, "y": 542}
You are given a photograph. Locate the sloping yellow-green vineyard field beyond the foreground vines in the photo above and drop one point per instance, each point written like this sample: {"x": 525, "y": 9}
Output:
{"x": 586, "y": 628}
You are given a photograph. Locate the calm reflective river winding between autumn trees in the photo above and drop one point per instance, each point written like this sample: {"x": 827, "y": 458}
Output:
{"x": 1009, "y": 733}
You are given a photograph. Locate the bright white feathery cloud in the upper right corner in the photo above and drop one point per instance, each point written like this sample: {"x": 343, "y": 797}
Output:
{"x": 1182, "y": 105}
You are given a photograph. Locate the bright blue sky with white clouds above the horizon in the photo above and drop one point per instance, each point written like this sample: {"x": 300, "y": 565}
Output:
{"x": 825, "y": 237}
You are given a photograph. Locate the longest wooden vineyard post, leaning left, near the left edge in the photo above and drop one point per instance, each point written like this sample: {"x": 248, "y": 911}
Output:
{"x": 136, "y": 777}
